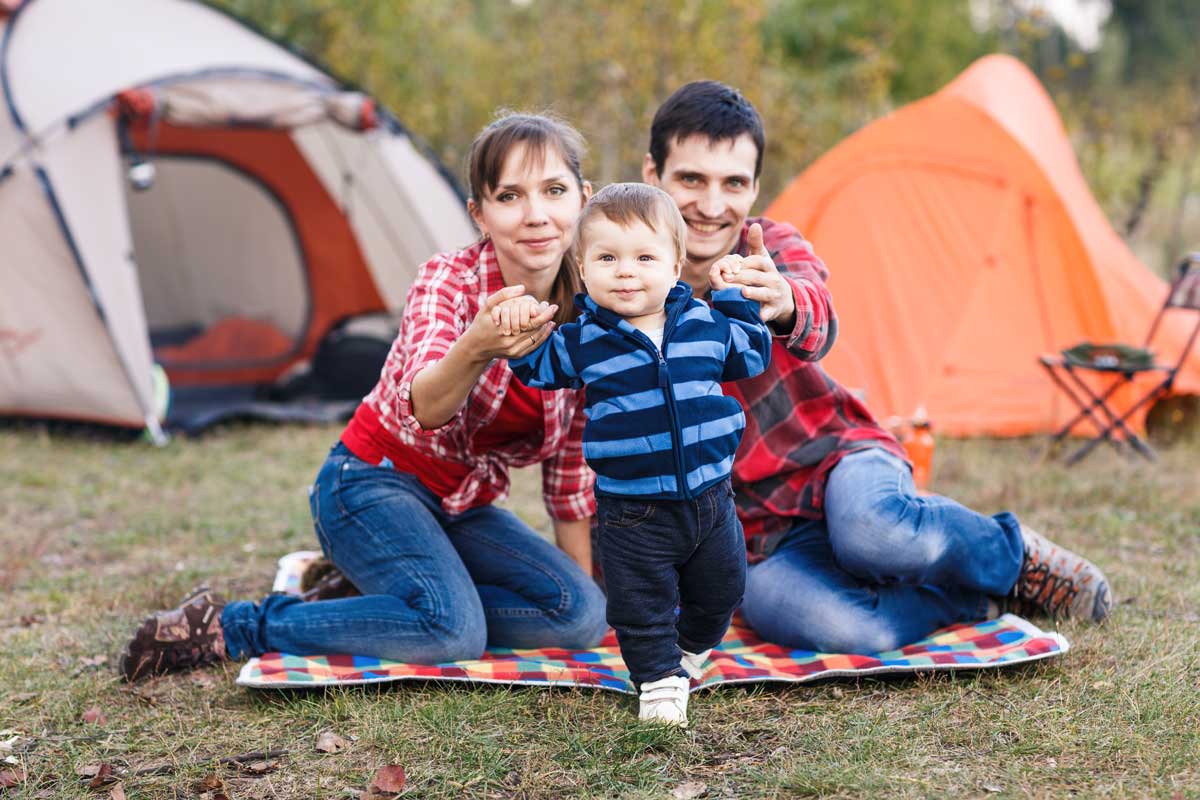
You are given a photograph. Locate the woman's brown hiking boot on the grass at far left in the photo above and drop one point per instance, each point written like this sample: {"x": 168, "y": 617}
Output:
{"x": 181, "y": 639}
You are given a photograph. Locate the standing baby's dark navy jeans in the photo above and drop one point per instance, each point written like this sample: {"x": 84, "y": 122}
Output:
{"x": 664, "y": 555}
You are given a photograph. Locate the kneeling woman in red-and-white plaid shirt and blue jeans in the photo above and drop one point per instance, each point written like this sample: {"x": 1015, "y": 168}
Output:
{"x": 403, "y": 504}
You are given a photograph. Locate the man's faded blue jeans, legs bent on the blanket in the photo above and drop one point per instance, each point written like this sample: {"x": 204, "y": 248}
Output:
{"x": 884, "y": 569}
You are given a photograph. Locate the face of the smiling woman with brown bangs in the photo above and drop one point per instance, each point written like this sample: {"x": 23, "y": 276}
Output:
{"x": 531, "y": 213}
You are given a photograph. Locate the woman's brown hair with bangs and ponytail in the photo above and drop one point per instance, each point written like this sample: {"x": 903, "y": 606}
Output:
{"x": 537, "y": 133}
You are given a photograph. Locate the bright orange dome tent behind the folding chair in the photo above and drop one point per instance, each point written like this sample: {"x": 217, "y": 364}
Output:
{"x": 964, "y": 243}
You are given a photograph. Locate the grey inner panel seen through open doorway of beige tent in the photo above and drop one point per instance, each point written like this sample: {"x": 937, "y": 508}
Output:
{"x": 221, "y": 270}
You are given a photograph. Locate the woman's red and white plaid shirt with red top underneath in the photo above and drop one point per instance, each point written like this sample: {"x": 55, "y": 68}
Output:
{"x": 493, "y": 432}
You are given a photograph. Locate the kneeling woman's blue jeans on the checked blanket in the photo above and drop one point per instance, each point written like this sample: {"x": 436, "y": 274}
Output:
{"x": 435, "y": 587}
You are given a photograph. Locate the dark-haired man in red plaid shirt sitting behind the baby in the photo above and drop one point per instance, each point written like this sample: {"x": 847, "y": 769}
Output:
{"x": 847, "y": 557}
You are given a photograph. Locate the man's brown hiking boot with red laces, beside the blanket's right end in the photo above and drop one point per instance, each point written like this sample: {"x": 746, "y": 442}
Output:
{"x": 1060, "y": 584}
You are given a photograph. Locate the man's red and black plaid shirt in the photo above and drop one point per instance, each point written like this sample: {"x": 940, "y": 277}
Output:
{"x": 800, "y": 422}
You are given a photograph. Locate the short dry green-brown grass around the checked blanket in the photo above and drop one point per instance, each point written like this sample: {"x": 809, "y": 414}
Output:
{"x": 95, "y": 534}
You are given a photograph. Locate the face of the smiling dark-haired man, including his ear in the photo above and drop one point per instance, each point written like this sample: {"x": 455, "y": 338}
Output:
{"x": 713, "y": 184}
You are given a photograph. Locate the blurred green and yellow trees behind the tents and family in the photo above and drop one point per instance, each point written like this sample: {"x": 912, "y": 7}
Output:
{"x": 819, "y": 70}
